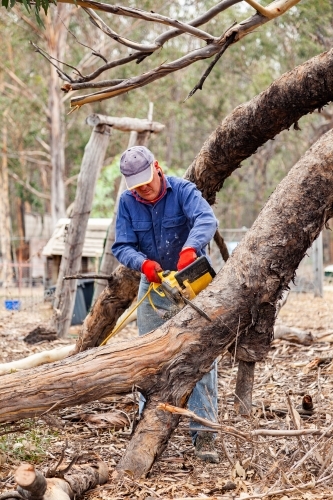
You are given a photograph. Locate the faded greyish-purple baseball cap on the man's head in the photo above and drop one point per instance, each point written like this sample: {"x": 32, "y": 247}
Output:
{"x": 137, "y": 166}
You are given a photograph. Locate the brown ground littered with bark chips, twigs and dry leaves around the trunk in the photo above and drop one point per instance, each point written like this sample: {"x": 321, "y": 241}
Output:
{"x": 255, "y": 466}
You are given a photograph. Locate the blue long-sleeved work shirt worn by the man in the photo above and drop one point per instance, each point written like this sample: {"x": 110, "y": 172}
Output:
{"x": 181, "y": 218}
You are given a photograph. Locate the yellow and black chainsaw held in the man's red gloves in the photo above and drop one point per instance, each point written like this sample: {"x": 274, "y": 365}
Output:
{"x": 180, "y": 287}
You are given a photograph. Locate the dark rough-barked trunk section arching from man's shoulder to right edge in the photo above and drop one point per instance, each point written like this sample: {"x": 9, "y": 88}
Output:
{"x": 296, "y": 93}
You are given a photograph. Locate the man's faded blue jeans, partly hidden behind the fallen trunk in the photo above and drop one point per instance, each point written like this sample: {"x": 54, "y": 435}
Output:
{"x": 203, "y": 400}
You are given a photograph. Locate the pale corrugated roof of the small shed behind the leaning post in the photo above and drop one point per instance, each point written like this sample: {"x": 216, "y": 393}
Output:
{"x": 93, "y": 243}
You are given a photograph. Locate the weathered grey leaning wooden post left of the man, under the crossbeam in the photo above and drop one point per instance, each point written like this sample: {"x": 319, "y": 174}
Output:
{"x": 71, "y": 260}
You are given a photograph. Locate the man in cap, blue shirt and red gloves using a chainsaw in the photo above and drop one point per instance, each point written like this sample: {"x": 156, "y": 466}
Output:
{"x": 164, "y": 223}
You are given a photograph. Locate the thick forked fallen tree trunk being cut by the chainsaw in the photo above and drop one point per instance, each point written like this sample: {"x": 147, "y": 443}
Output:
{"x": 165, "y": 365}
